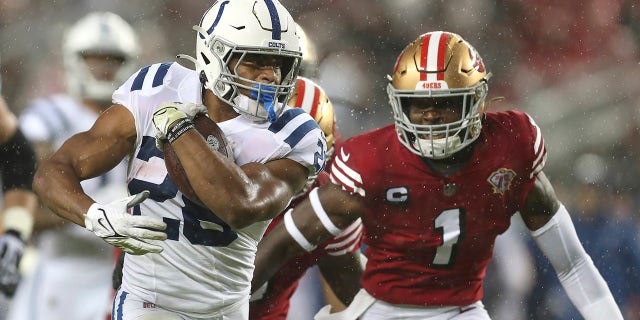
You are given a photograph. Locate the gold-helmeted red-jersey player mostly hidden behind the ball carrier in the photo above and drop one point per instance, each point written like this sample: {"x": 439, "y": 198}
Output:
{"x": 339, "y": 258}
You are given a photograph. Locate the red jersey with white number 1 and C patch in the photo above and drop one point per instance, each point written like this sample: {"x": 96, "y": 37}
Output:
{"x": 429, "y": 236}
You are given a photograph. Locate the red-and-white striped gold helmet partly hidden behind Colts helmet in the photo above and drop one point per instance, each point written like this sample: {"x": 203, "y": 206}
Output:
{"x": 312, "y": 99}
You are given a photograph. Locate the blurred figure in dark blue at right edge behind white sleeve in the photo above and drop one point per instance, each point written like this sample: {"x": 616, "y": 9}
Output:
{"x": 610, "y": 237}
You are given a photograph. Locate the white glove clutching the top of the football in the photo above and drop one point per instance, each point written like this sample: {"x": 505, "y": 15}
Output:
{"x": 170, "y": 112}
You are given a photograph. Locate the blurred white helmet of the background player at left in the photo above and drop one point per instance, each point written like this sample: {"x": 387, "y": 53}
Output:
{"x": 99, "y": 33}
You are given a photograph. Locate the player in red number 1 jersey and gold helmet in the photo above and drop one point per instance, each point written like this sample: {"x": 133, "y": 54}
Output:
{"x": 434, "y": 191}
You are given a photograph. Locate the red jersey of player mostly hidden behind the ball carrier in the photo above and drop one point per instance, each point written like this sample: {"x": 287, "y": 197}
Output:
{"x": 274, "y": 302}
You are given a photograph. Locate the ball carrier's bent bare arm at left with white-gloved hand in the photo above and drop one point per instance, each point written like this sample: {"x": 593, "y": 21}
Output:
{"x": 87, "y": 155}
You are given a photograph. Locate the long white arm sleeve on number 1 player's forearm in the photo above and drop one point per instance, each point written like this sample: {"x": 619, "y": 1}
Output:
{"x": 581, "y": 280}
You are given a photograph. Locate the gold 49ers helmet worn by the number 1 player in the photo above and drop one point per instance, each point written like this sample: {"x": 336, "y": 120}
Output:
{"x": 439, "y": 65}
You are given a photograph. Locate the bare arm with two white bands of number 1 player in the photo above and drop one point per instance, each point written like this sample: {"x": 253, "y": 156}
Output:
{"x": 326, "y": 211}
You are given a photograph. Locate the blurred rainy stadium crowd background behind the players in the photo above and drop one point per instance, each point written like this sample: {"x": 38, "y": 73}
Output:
{"x": 573, "y": 65}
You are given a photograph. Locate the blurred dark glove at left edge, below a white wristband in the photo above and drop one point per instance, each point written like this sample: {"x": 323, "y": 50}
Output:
{"x": 11, "y": 250}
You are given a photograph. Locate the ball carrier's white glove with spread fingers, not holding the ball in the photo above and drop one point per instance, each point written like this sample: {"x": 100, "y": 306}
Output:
{"x": 113, "y": 224}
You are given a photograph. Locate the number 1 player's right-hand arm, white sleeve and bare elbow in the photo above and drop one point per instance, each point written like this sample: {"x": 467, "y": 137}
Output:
{"x": 555, "y": 235}
